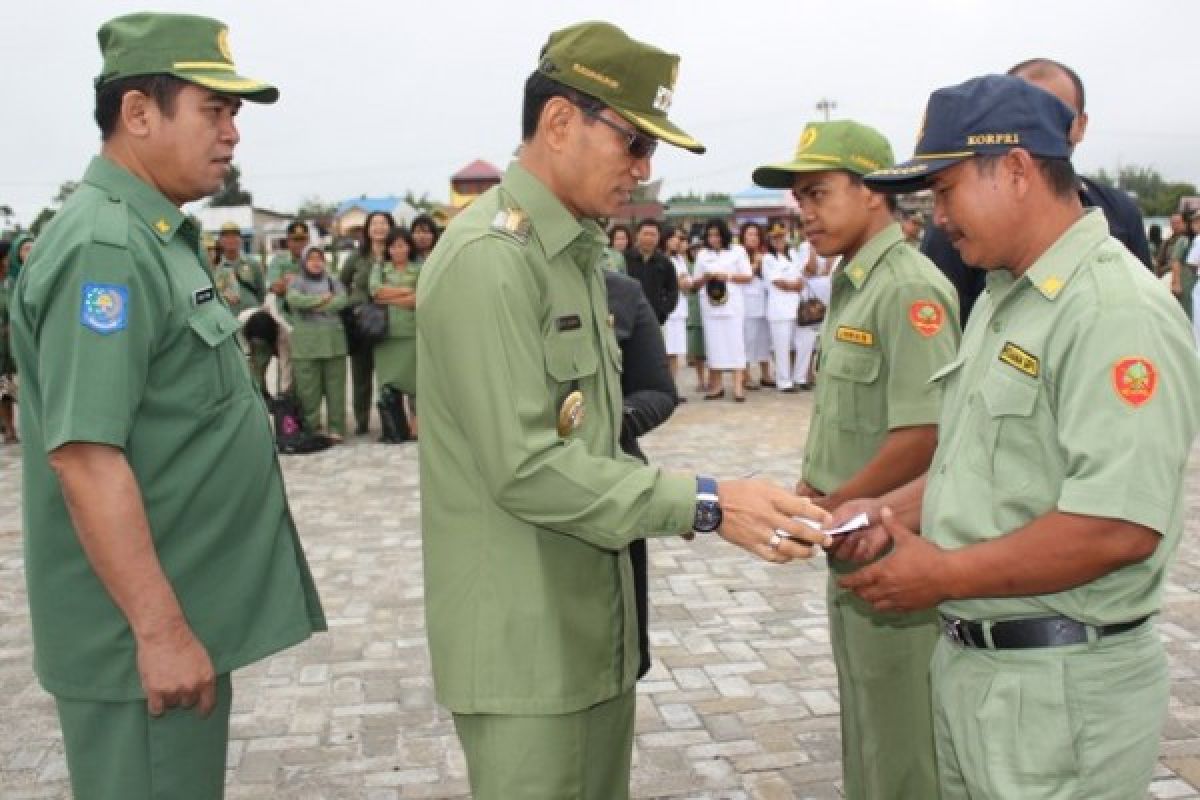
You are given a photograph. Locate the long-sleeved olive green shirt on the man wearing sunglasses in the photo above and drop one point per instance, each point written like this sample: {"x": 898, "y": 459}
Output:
{"x": 527, "y": 512}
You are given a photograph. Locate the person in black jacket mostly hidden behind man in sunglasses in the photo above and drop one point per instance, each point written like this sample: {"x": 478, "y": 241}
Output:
{"x": 650, "y": 399}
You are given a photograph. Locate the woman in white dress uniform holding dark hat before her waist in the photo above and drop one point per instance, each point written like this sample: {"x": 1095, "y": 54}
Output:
{"x": 724, "y": 272}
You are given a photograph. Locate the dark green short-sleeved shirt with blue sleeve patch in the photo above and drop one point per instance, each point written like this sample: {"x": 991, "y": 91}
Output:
{"x": 123, "y": 341}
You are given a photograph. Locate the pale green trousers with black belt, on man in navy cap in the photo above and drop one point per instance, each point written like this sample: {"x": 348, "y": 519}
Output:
{"x": 1051, "y": 724}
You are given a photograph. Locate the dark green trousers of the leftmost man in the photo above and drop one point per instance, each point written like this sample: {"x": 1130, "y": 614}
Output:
{"x": 117, "y": 751}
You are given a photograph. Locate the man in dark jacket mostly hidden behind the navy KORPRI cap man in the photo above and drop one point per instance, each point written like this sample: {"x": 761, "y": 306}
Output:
{"x": 1124, "y": 218}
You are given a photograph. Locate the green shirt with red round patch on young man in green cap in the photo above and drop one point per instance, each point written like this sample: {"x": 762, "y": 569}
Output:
{"x": 892, "y": 323}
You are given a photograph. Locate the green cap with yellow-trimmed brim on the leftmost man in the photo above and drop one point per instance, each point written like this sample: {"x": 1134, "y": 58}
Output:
{"x": 193, "y": 49}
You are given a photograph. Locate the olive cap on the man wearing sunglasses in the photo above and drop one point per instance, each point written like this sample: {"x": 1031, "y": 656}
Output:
{"x": 633, "y": 79}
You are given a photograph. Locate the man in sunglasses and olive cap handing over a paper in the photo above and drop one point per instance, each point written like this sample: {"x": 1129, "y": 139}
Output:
{"x": 529, "y": 508}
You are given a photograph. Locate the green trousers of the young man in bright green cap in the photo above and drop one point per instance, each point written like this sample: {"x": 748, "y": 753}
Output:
{"x": 887, "y": 729}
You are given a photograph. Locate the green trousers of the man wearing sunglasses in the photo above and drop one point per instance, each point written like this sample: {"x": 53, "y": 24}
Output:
{"x": 581, "y": 756}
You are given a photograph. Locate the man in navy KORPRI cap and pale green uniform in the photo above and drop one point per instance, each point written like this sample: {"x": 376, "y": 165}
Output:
{"x": 1055, "y": 498}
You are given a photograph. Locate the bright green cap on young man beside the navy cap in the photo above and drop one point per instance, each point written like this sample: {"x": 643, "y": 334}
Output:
{"x": 839, "y": 145}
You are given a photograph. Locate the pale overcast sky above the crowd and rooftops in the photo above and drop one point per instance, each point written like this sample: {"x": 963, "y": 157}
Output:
{"x": 381, "y": 98}
